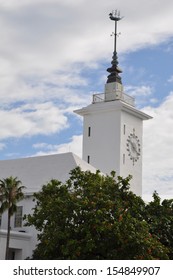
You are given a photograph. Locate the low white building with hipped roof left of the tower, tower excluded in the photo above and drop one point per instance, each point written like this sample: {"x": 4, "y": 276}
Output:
{"x": 33, "y": 173}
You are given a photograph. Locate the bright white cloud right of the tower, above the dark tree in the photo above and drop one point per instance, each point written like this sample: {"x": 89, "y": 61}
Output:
{"x": 158, "y": 149}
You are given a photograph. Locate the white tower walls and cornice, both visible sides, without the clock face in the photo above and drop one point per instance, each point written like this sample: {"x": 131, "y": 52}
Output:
{"x": 107, "y": 142}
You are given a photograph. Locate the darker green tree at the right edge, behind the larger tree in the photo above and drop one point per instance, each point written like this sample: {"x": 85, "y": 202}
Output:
{"x": 159, "y": 215}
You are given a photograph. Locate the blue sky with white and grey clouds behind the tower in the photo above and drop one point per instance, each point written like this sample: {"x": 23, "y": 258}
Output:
{"x": 53, "y": 57}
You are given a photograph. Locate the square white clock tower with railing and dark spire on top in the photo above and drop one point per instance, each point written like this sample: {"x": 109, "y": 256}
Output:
{"x": 112, "y": 130}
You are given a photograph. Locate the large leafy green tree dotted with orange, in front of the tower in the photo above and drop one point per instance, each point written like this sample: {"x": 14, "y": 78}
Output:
{"x": 92, "y": 217}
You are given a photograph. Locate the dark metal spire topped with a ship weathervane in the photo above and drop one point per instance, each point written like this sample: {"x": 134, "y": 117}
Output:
{"x": 114, "y": 70}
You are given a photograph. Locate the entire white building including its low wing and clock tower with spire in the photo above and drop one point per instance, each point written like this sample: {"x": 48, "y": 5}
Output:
{"x": 112, "y": 140}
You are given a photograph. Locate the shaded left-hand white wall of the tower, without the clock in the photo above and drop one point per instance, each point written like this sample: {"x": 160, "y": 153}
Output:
{"x": 103, "y": 145}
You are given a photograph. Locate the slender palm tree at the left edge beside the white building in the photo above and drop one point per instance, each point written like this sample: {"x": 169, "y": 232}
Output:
{"x": 10, "y": 194}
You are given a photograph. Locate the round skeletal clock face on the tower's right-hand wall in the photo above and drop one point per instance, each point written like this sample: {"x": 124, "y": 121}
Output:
{"x": 133, "y": 147}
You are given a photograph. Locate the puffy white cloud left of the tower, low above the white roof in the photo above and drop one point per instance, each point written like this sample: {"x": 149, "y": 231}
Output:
{"x": 29, "y": 120}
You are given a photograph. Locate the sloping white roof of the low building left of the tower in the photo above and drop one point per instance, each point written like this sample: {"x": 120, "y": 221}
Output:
{"x": 33, "y": 172}
